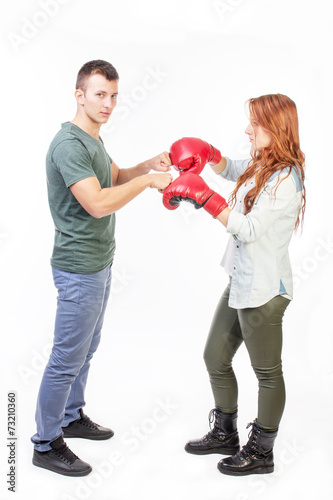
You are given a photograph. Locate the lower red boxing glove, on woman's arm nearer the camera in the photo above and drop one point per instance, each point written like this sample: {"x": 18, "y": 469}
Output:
{"x": 192, "y": 188}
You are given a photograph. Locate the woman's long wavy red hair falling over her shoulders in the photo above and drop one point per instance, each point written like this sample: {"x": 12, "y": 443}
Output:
{"x": 277, "y": 115}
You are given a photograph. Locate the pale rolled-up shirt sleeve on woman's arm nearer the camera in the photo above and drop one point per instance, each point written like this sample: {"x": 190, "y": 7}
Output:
{"x": 271, "y": 203}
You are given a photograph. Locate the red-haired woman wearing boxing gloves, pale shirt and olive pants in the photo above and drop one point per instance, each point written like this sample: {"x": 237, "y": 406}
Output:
{"x": 267, "y": 205}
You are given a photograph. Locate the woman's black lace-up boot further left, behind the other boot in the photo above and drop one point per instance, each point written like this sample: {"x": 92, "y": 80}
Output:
{"x": 223, "y": 438}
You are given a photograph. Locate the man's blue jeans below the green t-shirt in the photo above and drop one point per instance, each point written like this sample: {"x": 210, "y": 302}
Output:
{"x": 82, "y": 301}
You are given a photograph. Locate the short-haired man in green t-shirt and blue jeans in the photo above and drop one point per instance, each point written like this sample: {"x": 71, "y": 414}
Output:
{"x": 85, "y": 189}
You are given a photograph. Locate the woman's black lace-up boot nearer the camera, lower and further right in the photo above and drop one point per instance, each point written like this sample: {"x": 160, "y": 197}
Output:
{"x": 256, "y": 457}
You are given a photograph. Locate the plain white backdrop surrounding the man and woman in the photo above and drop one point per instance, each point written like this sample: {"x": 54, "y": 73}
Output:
{"x": 186, "y": 69}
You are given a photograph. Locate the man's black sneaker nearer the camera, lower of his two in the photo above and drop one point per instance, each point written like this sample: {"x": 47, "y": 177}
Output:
{"x": 61, "y": 460}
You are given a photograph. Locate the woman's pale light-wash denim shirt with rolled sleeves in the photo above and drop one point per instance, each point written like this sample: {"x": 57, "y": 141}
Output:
{"x": 257, "y": 254}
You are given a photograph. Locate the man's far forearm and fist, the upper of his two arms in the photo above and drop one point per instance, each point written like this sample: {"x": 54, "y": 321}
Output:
{"x": 160, "y": 163}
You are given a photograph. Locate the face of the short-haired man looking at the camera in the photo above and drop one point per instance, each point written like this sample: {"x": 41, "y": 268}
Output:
{"x": 99, "y": 98}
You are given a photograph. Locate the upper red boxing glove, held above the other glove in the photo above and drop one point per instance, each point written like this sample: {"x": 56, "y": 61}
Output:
{"x": 191, "y": 155}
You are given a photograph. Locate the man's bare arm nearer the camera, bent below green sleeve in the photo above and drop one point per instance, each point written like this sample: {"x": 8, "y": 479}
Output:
{"x": 99, "y": 202}
